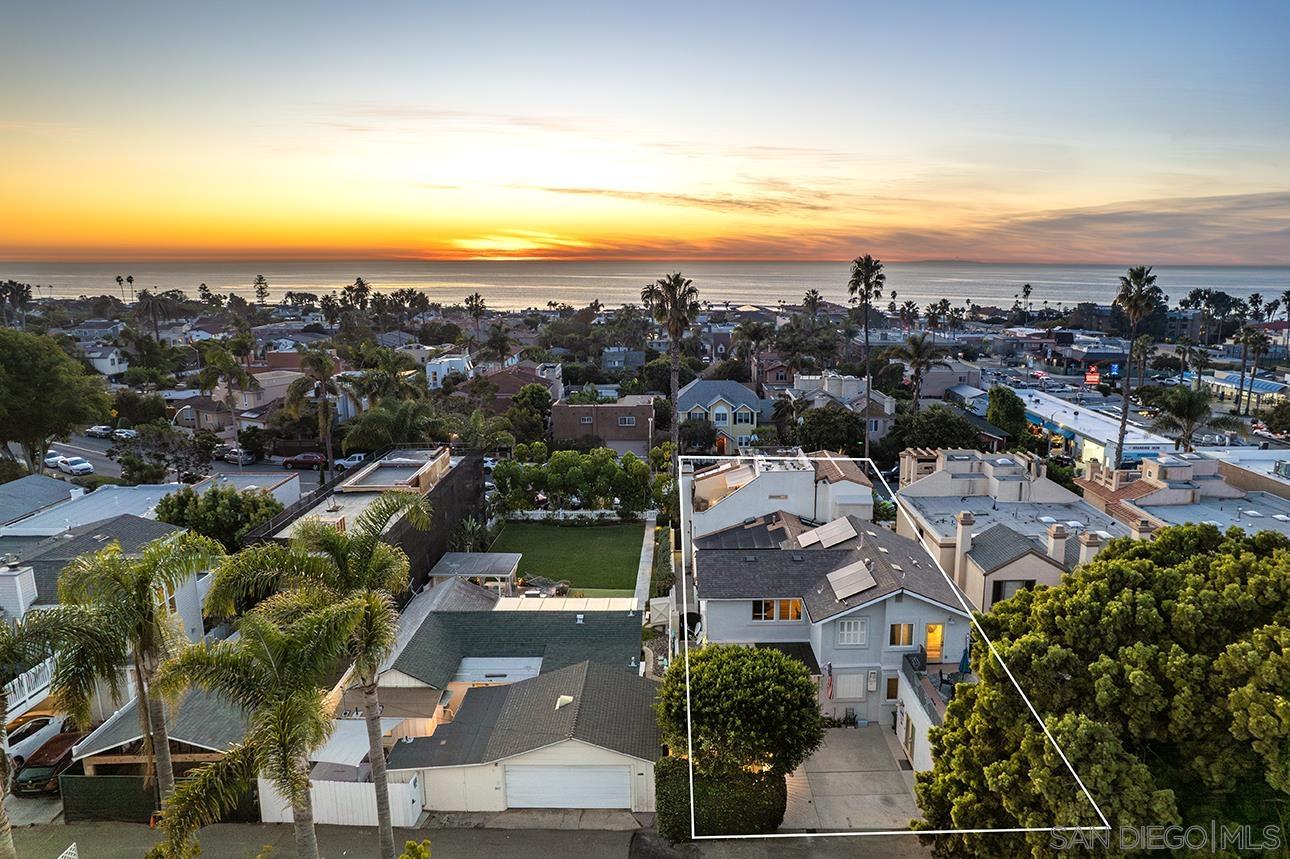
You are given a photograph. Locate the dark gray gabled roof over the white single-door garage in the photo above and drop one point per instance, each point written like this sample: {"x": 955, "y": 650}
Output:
{"x": 611, "y": 709}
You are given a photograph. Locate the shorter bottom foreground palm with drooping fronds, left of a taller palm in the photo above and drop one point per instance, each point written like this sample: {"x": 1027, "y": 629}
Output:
{"x": 277, "y": 675}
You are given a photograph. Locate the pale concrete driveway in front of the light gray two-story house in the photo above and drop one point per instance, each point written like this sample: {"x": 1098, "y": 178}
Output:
{"x": 853, "y": 782}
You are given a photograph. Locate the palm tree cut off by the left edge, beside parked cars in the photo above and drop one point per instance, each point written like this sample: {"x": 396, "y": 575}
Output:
{"x": 25, "y": 643}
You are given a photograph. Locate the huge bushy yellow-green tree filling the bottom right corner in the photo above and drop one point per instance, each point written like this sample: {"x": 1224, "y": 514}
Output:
{"x": 1162, "y": 670}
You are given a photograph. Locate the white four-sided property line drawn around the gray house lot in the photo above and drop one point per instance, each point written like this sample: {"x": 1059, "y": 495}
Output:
{"x": 972, "y": 617}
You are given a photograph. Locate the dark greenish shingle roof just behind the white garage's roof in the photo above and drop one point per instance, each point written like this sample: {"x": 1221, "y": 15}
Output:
{"x": 446, "y": 638}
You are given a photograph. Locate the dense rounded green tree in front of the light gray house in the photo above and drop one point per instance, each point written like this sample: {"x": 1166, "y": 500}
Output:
{"x": 751, "y": 707}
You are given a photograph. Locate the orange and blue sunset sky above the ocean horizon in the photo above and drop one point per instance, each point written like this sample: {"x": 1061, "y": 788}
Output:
{"x": 1042, "y": 132}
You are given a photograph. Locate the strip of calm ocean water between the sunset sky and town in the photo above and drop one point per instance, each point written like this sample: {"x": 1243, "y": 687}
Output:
{"x": 515, "y": 286}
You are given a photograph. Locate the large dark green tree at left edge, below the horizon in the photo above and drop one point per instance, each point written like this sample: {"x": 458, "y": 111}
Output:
{"x": 45, "y": 397}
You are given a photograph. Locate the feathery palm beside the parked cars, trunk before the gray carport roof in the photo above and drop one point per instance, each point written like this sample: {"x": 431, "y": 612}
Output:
{"x": 130, "y": 598}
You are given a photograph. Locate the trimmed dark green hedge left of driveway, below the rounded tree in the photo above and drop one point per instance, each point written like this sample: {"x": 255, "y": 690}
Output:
{"x": 736, "y": 804}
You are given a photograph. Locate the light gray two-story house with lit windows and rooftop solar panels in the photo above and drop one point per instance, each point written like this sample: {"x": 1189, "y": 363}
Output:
{"x": 851, "y": 599}
